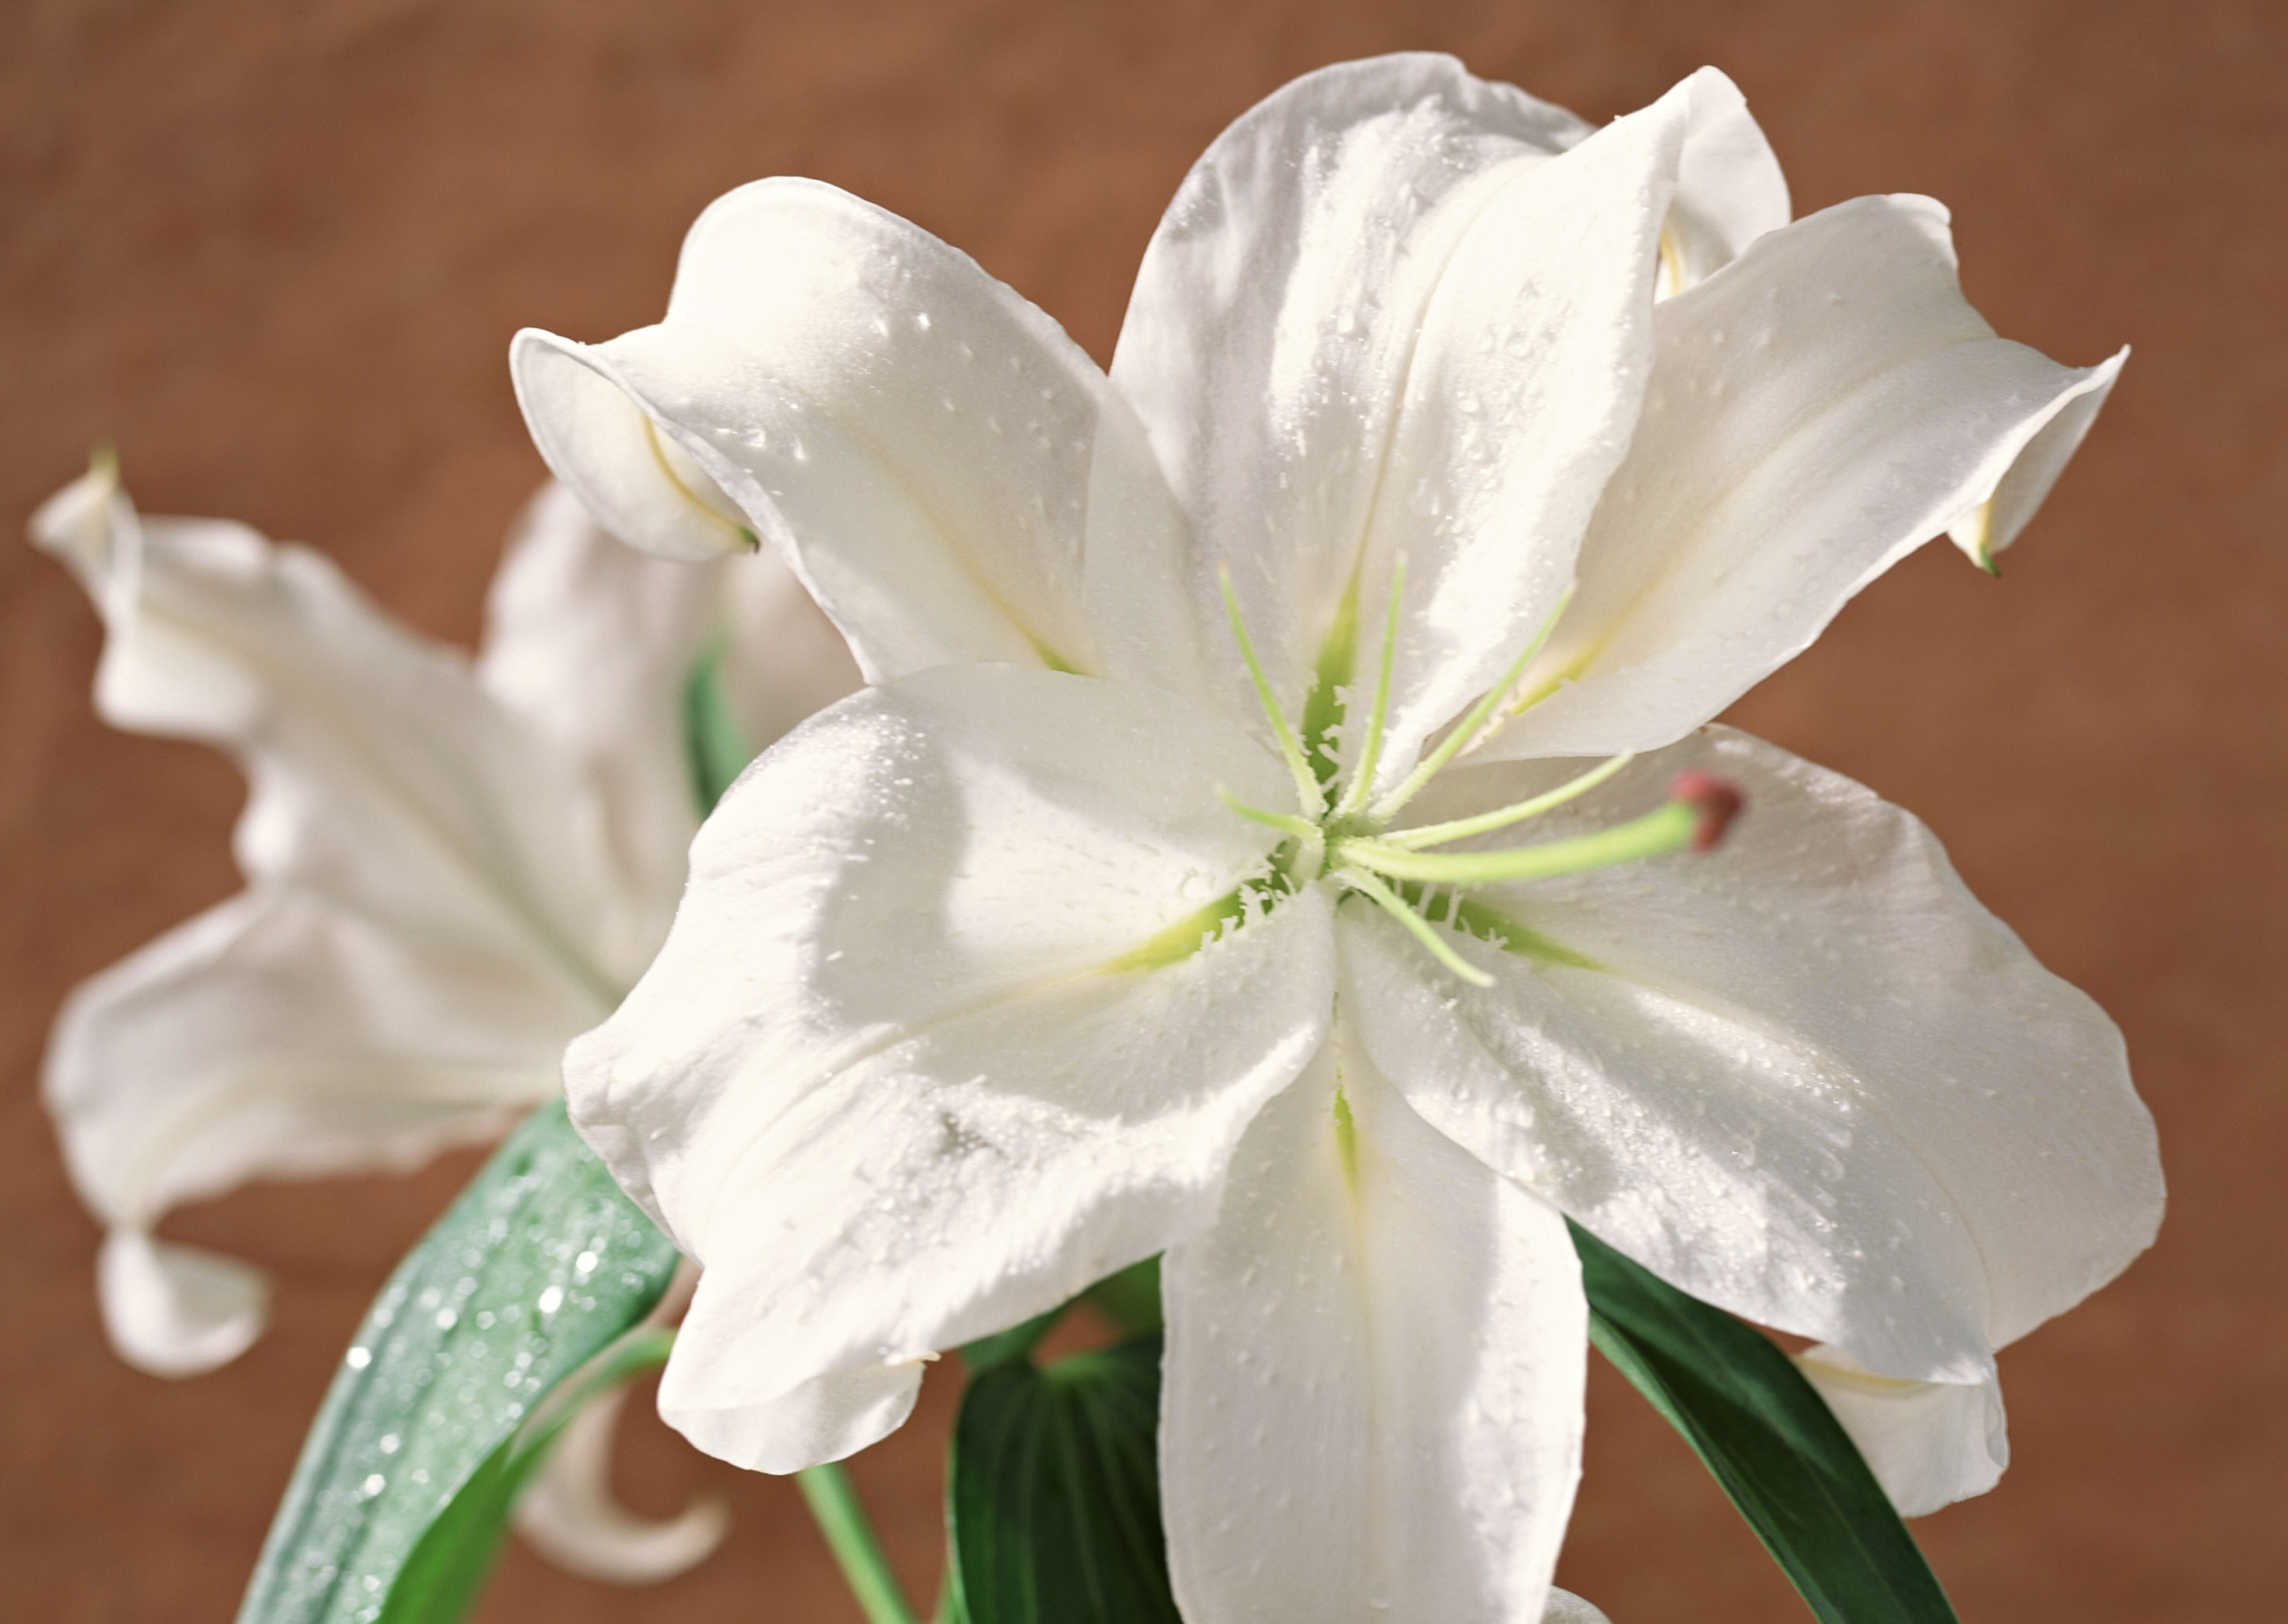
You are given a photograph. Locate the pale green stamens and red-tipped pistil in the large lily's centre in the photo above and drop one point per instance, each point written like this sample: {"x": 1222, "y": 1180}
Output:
{"x": 1344, "y": 838}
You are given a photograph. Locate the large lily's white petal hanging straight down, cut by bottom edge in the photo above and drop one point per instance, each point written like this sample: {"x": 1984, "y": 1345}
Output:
{"x": 1374, "y": 1376}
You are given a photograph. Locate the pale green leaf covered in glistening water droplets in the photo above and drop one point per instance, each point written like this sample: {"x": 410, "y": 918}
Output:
{"x": 537, "y": 1268}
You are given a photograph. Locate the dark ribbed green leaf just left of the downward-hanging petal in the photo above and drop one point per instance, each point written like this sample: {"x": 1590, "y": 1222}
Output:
{"x": 1054, "y": 1492}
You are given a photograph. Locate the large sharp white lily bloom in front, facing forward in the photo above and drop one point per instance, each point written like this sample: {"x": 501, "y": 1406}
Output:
{"x": 1157, "y": 895}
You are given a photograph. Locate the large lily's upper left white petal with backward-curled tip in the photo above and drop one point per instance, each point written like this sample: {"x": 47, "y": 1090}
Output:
{"x": 935, "y": 456}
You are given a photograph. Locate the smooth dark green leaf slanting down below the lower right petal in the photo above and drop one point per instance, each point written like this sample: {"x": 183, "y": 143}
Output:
{"x": 1770, "y": 1440}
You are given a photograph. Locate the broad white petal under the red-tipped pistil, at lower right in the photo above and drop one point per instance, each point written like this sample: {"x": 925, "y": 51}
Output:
{"x": 1806, "y": 1078}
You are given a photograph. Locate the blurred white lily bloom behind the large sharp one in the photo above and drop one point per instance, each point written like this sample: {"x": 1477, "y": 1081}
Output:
{"x": 450, "y": 868}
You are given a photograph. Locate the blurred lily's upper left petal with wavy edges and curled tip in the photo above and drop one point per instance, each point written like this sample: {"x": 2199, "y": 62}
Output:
{"x": 381, "y": 774}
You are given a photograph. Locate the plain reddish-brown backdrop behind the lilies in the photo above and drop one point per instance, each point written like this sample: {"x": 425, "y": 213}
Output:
{"x": 276, "y": 253}
